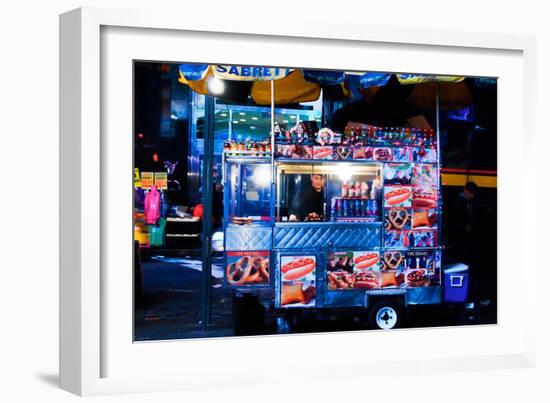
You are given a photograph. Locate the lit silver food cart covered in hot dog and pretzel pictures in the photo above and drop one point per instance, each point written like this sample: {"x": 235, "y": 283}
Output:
{"x": 317, "y": 220}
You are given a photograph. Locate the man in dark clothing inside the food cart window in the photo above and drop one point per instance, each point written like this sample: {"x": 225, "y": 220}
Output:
{"x": 308, "y": 204}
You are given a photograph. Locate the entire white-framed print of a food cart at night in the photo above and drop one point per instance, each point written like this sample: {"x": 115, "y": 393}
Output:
{"x": 232, "y": 197}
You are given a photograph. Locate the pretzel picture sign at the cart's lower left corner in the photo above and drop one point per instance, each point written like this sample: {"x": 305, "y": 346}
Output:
{"x": 247, "y": 268}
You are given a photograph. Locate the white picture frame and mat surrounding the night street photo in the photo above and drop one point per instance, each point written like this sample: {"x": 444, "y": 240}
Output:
{"x": 96, "y": 354}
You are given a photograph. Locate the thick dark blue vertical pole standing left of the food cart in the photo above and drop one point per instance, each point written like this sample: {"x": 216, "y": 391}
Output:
{"x": 207, "y": 198}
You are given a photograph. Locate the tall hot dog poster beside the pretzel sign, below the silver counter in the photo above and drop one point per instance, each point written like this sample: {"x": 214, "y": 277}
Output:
{"x": 298, "y": 281}
